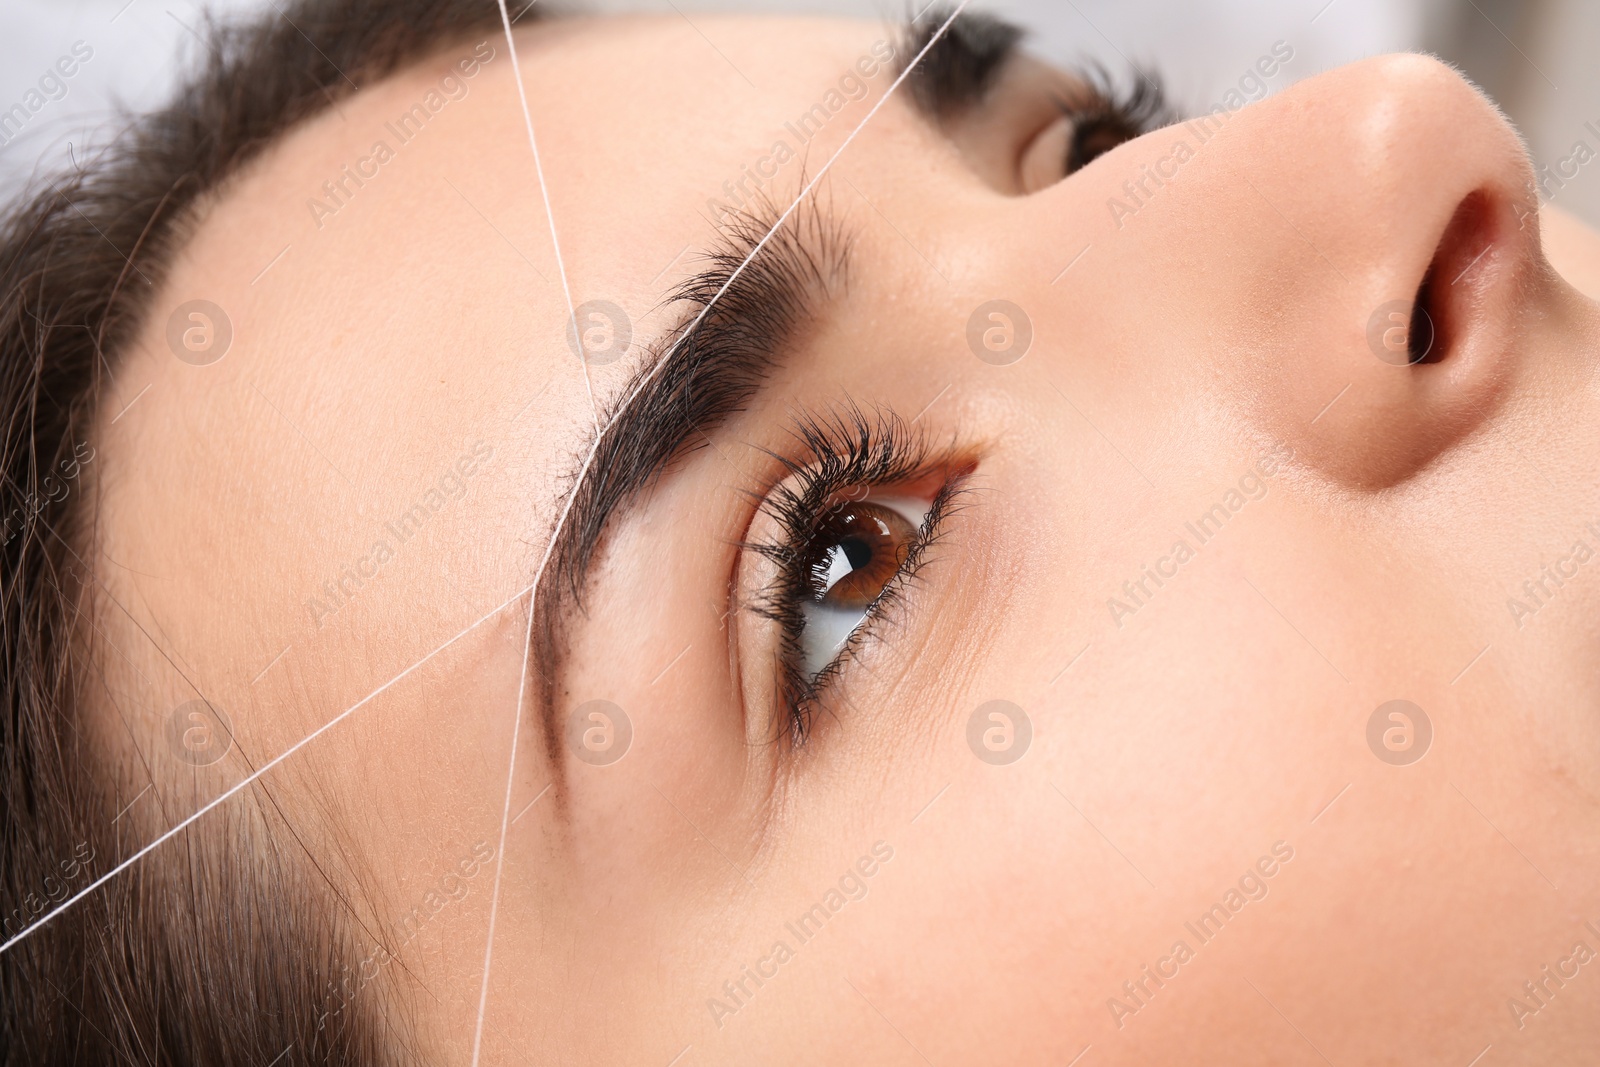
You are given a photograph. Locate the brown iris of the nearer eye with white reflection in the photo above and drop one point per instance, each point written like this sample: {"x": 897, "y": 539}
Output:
{"x": 857, "y": 551}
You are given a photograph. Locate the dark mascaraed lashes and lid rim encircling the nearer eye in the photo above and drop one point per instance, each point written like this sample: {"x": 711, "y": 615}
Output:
{"x": 846, "y": 450}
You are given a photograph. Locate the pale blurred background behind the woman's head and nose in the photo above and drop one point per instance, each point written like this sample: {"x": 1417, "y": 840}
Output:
{"x": 1537, "y": 58}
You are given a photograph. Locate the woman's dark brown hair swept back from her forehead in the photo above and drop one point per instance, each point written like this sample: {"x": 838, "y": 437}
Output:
{"x": 228, "y": 946}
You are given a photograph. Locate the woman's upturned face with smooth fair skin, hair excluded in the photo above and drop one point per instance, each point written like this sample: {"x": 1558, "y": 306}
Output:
{"x": 1182, "y": 503}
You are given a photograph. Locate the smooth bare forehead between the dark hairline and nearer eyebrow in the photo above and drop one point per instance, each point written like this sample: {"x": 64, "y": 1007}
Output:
{"x": 356, "y": 393}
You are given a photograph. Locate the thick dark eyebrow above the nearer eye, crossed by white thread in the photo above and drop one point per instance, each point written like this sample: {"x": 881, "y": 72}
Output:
{"x": 706, "y": 369}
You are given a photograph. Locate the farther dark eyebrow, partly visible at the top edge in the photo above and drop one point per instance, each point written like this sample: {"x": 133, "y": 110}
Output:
{"x": 962, "y": 65}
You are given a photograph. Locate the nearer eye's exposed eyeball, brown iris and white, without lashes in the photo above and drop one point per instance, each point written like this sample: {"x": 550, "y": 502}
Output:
{"x": 852, "y": 557}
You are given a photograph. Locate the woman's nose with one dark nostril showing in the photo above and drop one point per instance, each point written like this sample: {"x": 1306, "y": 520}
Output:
{"x": 1356, "y": 252}
